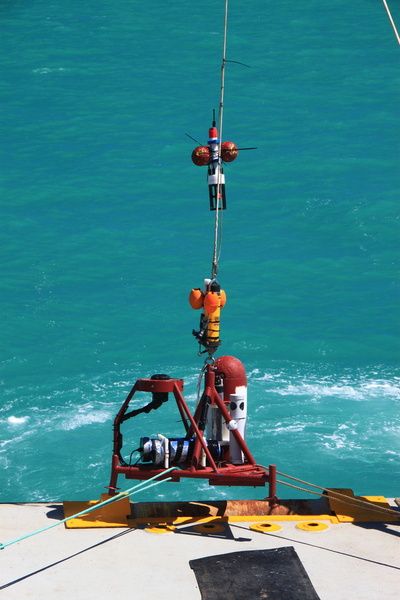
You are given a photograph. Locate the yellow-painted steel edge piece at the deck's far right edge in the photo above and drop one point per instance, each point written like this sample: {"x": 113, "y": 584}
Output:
{"x": 349, "y": 513}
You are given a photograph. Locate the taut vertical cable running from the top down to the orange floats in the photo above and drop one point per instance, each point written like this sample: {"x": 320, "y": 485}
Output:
{"x": 217, "y": 224}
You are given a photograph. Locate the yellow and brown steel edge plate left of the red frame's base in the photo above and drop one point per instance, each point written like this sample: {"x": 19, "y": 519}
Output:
{"x": 111, "y": 515}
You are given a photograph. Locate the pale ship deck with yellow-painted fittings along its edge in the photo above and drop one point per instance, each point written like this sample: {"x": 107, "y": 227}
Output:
{"x": 343, "y": 560}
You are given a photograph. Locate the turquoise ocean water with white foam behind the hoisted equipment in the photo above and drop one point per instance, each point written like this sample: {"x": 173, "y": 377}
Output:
{"x": 105, "y": 228}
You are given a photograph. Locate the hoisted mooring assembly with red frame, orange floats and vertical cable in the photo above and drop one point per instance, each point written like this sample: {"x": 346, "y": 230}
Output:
{"x": 211, "y": 443}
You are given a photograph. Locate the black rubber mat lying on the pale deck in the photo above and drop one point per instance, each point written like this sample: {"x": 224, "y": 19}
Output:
{"x": 276, "y": 574}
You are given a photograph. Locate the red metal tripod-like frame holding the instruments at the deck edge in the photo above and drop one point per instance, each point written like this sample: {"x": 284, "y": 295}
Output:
{"x": 224, "y": 473}
